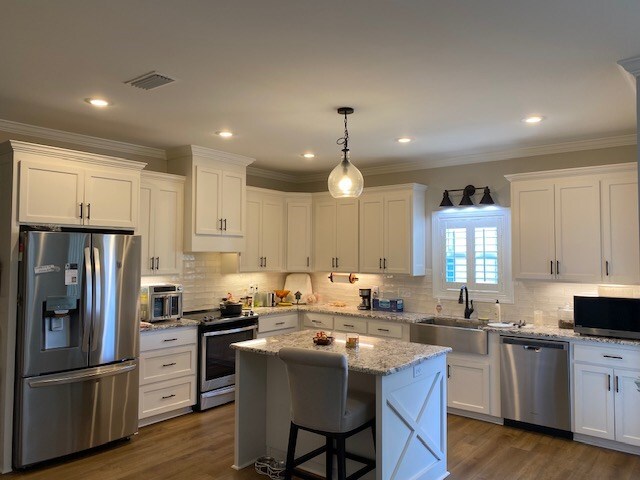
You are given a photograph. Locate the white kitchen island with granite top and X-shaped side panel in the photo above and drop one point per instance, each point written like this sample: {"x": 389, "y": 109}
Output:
{"x": 408, "y": 379}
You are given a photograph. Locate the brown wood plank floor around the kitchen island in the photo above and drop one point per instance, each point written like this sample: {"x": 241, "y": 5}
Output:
{"x": 200, "y": 447}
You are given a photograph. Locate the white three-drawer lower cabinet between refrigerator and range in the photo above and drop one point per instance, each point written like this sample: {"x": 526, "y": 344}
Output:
{"x": 168, "y": 365}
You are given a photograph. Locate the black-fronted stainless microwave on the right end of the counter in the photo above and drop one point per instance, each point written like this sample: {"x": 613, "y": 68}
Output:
{"x": 607, "y": 316}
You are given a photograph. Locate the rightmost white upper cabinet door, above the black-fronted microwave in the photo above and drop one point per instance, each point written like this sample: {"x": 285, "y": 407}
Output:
{"x": 620, "y": 229}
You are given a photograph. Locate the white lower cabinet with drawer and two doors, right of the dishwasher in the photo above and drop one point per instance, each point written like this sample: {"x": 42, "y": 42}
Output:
{"x": 606, "y": 393}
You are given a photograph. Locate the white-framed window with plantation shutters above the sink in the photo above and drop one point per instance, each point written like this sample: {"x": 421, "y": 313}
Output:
{"x": 472, "y": 247}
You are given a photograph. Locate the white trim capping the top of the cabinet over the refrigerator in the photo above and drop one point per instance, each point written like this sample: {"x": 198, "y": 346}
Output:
{"x": 66, "y": 154}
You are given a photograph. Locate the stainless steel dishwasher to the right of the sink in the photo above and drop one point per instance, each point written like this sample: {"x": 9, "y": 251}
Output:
{"x": 534, "y": 382}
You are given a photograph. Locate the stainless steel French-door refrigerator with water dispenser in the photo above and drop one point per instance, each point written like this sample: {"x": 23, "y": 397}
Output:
{"x": 77, "y": 346}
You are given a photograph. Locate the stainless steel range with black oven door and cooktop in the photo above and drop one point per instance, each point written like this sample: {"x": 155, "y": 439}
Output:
{"x": 216, "y": 359}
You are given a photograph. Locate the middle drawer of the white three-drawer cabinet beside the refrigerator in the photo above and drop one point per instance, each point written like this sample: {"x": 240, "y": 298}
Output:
{"x": 166, "y": 363}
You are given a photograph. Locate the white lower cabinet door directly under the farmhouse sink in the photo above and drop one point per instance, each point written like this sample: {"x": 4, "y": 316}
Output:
{"x": 468, "y": 384}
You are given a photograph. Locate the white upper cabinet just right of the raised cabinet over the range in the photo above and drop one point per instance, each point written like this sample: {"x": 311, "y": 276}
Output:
{"x": 265, "y": 232}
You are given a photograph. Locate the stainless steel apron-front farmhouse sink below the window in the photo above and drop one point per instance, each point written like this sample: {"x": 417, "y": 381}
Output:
{"x": 461, "y": 334}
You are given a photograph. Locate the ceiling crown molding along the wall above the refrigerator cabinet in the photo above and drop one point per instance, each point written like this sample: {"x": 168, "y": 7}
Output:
{"x": 79, "y": 139}
